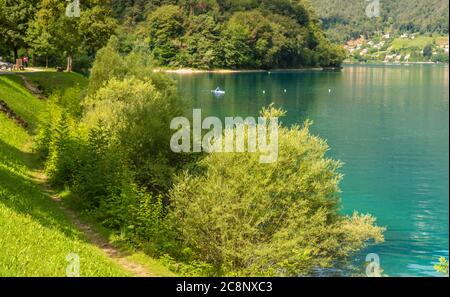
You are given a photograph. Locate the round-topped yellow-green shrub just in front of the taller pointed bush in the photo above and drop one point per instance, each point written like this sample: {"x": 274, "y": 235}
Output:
{"x": 138, "y": 116}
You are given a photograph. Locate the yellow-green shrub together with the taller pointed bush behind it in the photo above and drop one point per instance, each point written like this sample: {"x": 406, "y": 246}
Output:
{"x": 136, "y": 105}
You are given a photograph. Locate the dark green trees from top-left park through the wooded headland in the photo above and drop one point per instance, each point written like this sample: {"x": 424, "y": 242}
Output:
{"x": 205, "y": 34}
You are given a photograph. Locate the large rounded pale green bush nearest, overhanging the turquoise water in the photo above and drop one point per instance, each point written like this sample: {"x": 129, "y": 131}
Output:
{"x": 248, "y": 218}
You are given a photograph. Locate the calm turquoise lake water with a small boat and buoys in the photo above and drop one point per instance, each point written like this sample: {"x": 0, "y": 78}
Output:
{"x": 388, "y": 124}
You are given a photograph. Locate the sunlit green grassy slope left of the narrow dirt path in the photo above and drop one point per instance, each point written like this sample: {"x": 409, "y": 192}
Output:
{"x": 35, "y": 235}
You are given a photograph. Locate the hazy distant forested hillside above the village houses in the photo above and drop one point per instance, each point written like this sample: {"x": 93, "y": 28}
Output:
{"x": 345, "y": 19}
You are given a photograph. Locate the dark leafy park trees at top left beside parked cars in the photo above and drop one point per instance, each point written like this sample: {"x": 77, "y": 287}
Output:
{"x": 41, "y": 30}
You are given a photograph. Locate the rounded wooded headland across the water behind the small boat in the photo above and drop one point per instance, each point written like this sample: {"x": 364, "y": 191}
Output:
{"x": 228, "y": 34}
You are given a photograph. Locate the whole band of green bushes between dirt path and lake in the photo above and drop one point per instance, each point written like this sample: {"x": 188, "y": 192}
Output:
{"x": 115, "y": 166}
